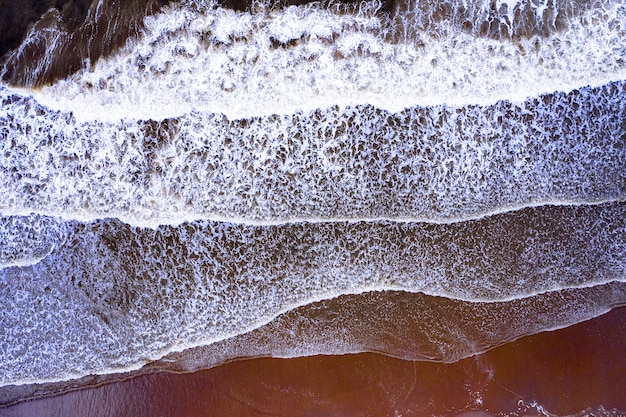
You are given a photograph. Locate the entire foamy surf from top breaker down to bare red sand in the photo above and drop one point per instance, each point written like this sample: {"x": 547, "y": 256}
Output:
{"x": 321, "y": 178}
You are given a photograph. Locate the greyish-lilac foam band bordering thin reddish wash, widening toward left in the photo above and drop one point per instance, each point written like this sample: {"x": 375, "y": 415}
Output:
{"x": 115, "y": 297}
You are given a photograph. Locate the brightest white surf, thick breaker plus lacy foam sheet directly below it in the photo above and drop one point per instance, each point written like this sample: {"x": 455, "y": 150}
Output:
{"x": 325, "y": 158}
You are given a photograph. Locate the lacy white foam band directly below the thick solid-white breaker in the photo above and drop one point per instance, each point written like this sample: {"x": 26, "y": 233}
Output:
{"x": 438, "y": 164}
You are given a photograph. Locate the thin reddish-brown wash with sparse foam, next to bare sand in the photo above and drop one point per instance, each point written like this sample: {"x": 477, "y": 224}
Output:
{"x": 405, "y": 325}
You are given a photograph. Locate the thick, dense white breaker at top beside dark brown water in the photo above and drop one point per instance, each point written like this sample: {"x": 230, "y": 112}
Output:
{"x": 210, "y": 59}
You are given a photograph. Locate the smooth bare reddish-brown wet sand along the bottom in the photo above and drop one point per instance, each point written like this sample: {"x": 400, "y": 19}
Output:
{"x": 566, "y": 371}
